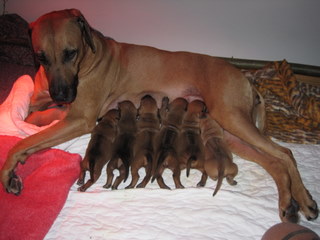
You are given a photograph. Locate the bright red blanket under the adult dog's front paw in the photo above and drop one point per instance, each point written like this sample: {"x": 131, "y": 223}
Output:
{"x": 47, "y": 177}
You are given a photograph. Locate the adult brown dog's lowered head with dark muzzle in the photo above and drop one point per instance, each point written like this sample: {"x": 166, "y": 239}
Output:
{"x": 60, "y": 40}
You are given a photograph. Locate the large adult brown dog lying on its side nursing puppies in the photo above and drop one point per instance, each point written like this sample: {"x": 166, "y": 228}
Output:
{"x": 92, "y": 73}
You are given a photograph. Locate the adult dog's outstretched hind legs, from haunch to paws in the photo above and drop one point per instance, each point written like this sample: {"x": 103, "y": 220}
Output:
{"x": 233, "y": 112}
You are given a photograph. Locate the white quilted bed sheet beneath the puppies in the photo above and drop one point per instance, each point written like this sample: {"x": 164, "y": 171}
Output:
{"x": 244, "y": 211}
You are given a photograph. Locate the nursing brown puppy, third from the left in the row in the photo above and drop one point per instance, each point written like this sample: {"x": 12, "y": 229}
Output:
{"x": 148, "y": 123}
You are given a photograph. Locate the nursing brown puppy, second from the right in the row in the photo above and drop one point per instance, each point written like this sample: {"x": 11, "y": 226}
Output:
{"x": 191, "y": 147}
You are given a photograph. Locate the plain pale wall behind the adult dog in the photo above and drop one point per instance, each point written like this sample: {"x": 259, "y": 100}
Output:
{"x": 252, "y": 29}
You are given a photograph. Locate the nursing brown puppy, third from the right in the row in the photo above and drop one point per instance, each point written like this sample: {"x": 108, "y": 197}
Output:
{"x": 167, "y": 141}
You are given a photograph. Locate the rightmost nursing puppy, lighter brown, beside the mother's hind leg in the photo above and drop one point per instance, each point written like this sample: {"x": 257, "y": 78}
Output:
{"x": 218, "y": 158}
